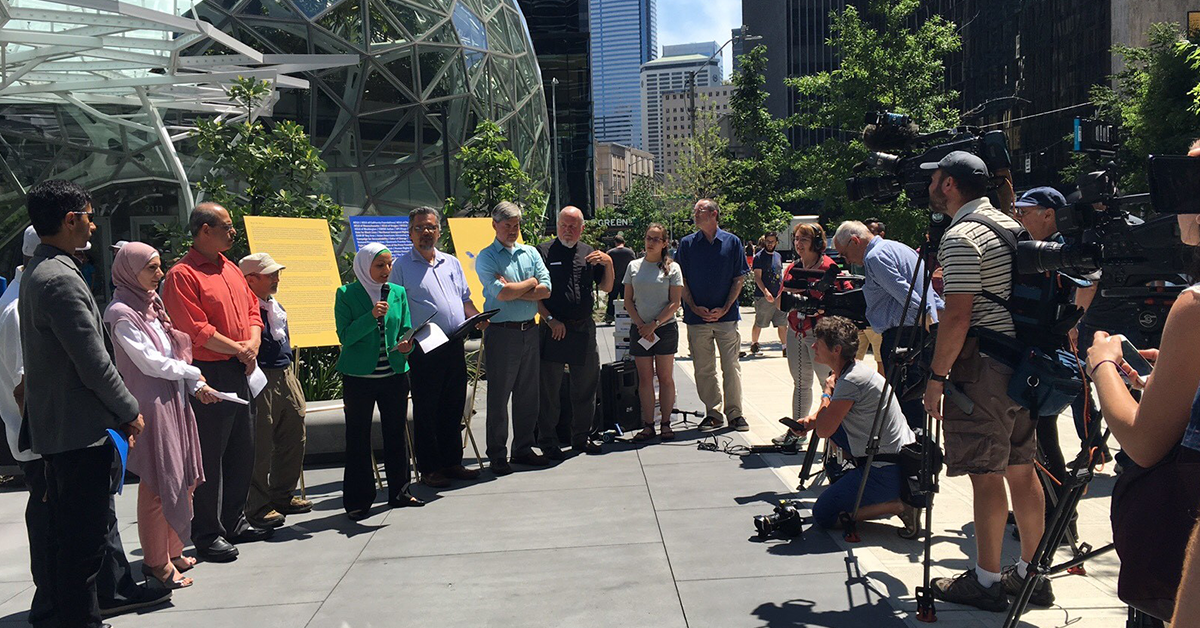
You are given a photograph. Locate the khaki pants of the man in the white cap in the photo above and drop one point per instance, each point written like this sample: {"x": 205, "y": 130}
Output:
{"x": 279, "y": 442}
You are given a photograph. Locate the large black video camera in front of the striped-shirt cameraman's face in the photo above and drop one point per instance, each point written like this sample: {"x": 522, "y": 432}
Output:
{"x": 898, "y": 149}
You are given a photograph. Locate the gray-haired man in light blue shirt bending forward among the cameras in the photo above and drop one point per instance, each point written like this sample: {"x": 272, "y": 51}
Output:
{"x": 890, "y": 267}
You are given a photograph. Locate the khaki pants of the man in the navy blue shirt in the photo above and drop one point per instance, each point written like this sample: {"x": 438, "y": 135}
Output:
{"x": 701, "y": 340}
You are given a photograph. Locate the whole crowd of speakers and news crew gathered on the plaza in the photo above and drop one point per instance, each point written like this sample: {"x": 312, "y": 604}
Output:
{"x": 200, "y": 382}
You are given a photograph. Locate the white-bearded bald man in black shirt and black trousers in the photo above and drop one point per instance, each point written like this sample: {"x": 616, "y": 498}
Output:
{"x": 569, "y": 333}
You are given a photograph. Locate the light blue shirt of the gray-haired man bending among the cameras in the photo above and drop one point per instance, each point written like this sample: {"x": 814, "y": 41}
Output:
{"x": 890, "y": 268}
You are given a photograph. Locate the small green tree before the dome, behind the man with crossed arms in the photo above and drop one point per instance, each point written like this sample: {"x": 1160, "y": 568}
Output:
{"x": 493, "y": 174}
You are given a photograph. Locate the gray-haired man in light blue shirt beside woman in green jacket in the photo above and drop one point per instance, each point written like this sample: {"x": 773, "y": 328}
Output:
{"x": 436, "y": 286}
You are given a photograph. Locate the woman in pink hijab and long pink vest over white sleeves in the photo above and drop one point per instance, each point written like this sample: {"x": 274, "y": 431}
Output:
{"x": 155, "y": 362}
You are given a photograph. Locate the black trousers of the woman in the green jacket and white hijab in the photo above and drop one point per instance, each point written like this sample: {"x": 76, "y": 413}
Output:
{"x": 361, "y": 397}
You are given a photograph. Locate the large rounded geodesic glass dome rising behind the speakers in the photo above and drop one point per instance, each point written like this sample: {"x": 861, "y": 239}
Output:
{"x": 430, "y": 71}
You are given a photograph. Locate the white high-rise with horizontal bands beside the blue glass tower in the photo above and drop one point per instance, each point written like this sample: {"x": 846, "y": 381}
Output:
{"x": 670, "y": 75}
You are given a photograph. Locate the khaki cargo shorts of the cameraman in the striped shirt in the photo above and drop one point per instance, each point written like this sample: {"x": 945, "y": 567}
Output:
{"x": 1000, "y": 433}
